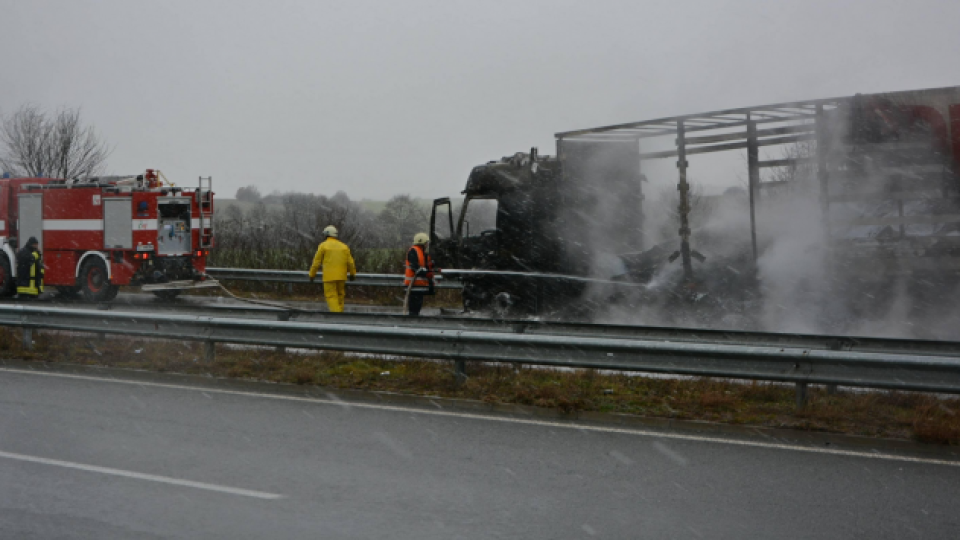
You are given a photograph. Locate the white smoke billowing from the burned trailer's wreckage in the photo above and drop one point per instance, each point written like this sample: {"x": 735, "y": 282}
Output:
{"x": 803, "y": 286}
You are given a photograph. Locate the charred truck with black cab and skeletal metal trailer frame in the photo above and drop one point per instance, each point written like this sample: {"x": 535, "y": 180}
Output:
{"x": 893, "y": 156}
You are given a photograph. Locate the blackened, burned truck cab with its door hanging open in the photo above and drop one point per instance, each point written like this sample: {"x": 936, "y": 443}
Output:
{"x": 526, "y": 221}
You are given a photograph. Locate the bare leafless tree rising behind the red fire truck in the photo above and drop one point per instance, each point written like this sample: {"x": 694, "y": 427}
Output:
{"x": 33, "y": 144}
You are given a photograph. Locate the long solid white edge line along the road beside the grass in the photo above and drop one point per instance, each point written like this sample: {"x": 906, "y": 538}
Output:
{"x": 510, "y": 420}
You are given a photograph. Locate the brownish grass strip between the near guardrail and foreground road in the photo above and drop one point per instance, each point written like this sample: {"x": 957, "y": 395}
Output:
{"x": 900, "y": 415}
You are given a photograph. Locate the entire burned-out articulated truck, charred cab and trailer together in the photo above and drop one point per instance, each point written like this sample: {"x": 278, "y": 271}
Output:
{"x": 881, "y": 170}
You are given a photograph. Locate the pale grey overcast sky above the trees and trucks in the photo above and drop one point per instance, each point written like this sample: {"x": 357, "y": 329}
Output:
{"x": 379, "y": 98}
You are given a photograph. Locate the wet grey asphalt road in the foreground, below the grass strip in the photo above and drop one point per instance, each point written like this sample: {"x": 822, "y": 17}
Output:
{"x": 94, "y": 458}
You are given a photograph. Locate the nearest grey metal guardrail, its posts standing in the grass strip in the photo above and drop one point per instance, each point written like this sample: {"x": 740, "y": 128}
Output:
{"x": 790, "y": 364}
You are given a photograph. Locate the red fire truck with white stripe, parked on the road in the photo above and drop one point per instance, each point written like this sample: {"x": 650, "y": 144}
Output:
{"x": 99, "y": 234}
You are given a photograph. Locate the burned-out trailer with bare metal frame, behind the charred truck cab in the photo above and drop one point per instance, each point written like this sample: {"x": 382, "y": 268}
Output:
{"x": 882, "y": 170}
